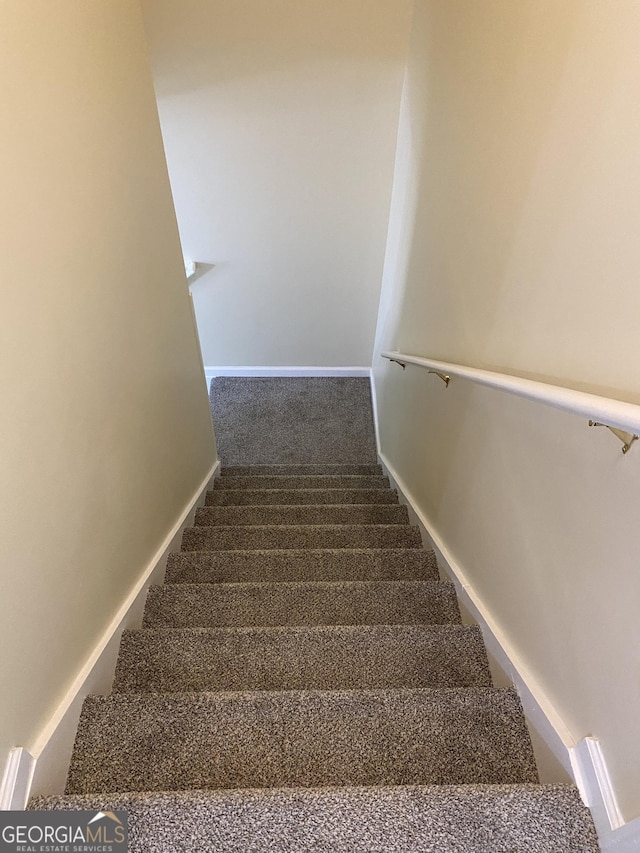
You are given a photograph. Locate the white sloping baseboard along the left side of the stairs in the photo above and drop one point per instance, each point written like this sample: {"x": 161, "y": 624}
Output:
{"x": 51, "y": 752}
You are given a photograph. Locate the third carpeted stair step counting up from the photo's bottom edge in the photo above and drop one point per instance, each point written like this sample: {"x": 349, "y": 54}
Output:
{"x": 299, "y": 658}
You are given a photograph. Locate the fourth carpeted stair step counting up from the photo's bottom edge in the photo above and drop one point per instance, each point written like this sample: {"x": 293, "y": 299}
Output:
{"x": 301, "y": 603}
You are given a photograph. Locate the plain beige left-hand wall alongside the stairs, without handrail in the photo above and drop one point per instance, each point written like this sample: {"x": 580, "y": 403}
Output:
{"x": 104, "y": 424}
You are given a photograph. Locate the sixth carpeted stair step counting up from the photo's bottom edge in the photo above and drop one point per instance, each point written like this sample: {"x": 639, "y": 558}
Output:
{"x": 228, "y": 538}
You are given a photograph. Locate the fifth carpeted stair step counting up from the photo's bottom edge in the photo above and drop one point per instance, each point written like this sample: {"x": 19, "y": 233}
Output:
{"x": 298, "y": 565}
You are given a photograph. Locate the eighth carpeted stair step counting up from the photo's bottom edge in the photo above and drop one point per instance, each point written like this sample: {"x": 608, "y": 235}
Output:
{"x": 254, "y": 497}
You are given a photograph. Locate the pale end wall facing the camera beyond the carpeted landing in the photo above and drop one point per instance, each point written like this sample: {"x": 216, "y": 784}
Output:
{"x": 279, "y": 121}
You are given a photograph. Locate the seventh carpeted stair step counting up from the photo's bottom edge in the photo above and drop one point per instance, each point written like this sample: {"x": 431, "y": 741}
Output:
{"x": 209, "y": 516}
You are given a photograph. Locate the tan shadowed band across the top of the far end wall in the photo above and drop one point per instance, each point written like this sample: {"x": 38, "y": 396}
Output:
{"x": 260, "y": 38}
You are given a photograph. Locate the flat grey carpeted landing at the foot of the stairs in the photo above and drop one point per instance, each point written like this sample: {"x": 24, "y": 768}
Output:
{"x": 293, "y": 420}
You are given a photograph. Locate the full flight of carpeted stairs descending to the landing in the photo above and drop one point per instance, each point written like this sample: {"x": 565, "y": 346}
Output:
{"x": 302, "y": 682}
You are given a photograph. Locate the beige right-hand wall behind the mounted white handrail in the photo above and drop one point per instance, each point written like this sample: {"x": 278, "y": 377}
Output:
{"x": 513, "y": 246}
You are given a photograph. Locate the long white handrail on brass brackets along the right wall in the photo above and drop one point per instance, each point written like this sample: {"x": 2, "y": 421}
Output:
{"x": 610, "y": 412}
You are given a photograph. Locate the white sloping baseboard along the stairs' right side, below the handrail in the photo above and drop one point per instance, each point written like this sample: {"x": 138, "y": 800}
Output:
{"x": 583, "y": 760}
